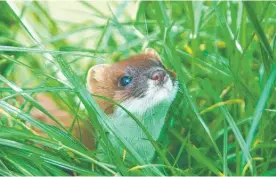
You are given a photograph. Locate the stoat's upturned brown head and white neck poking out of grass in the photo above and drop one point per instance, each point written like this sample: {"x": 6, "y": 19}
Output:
{"x": 143, "y": 86}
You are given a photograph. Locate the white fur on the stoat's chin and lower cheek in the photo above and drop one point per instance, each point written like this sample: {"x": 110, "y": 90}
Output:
{"x": 154, "y": 96}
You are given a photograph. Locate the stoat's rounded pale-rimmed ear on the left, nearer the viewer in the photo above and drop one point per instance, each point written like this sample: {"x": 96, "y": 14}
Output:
{"x": 95, "y": 74}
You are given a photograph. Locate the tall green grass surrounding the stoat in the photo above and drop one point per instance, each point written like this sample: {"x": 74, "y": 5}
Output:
{"x": 221, "y": 123}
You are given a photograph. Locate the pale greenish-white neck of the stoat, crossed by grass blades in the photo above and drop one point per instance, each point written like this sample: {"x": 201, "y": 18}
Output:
{"x": 153, "y": 120}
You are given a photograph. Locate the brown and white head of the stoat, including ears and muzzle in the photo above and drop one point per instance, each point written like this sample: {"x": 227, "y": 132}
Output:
{"x": 138, "y": 83}
